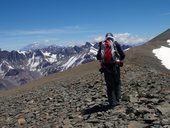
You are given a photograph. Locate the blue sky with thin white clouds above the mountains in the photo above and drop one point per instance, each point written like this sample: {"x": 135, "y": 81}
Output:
{"x": 67, "y": 22}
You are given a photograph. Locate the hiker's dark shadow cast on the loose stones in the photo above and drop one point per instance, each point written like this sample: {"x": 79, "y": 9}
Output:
{"x": 95, "y": 109}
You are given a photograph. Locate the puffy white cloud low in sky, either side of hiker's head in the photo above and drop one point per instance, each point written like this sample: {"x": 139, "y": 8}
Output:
{"x": 125, "y": 38}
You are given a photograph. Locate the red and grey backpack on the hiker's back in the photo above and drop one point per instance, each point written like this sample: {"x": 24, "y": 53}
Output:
{"x": 108, "y": 51}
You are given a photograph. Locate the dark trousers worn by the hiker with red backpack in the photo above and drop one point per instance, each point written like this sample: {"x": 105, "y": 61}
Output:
{"x": 112, "y": 79}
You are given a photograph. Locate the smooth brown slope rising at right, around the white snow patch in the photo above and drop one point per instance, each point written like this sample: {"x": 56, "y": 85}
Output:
{"x": 142, "y": 55}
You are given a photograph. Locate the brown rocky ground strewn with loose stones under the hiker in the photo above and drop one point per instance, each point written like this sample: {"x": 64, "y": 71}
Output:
{"x": 77, "y": 98}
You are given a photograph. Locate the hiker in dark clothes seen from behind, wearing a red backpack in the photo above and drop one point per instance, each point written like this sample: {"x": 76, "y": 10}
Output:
{"x": 111, "y": 56}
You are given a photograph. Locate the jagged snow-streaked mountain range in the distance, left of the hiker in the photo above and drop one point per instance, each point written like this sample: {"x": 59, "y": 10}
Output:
{"x": 20, "y": 67}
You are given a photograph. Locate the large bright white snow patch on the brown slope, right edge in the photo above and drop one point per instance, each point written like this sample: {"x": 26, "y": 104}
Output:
{"x": 163, "y": 53}
